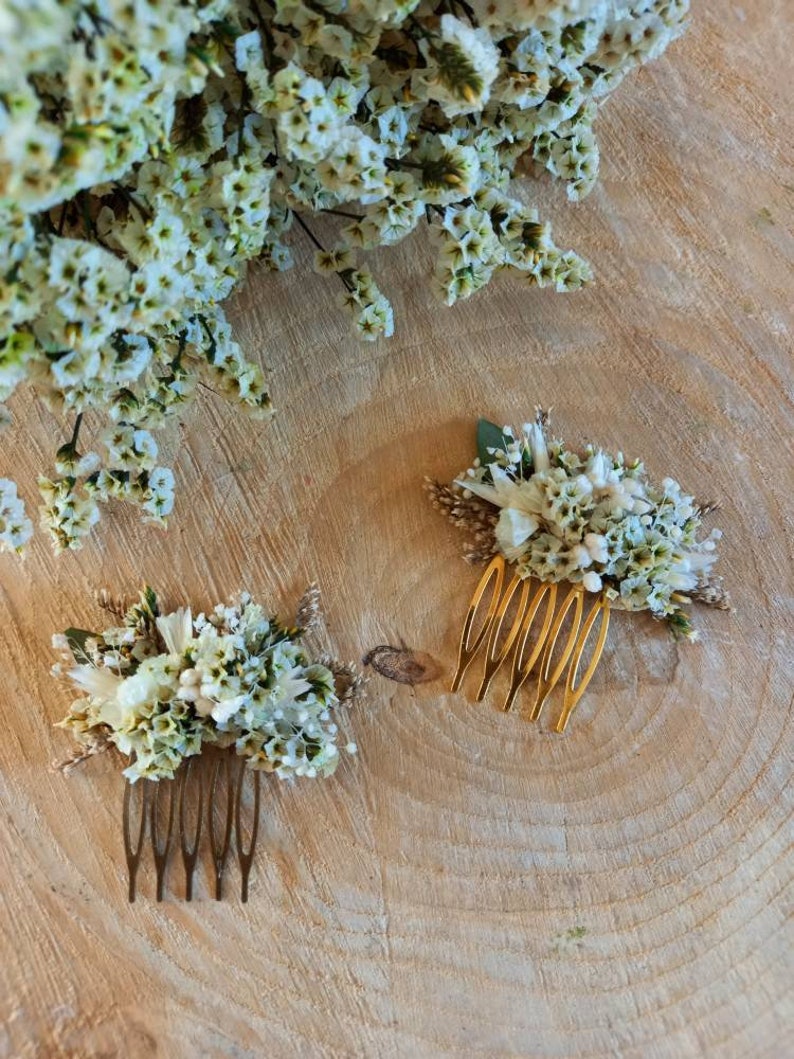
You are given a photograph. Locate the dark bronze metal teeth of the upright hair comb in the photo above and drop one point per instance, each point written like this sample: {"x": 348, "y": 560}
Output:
{"x": 146, "y": 806}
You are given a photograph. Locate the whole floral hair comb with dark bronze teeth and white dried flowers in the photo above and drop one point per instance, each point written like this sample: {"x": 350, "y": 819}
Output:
{"x": 161, "y": 688}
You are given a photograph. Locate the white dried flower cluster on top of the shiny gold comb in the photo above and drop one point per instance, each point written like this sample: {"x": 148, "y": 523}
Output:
{"x": 595, "y": 519}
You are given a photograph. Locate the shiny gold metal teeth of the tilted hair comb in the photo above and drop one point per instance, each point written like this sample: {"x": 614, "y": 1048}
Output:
{"x": 532, "y": 651}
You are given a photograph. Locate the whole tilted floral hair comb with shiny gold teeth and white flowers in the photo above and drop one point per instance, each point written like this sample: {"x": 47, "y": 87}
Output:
{"x": 590, "y": 519}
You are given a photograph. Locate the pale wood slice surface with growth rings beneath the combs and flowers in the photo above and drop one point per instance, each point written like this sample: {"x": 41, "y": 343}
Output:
{"x": 472, "y": 886}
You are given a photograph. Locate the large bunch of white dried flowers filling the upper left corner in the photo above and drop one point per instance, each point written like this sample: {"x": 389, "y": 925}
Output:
{"x": 149, "y": 151}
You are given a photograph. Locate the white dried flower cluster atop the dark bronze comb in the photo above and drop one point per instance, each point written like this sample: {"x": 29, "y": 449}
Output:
{"x": 160, "y": 688}
